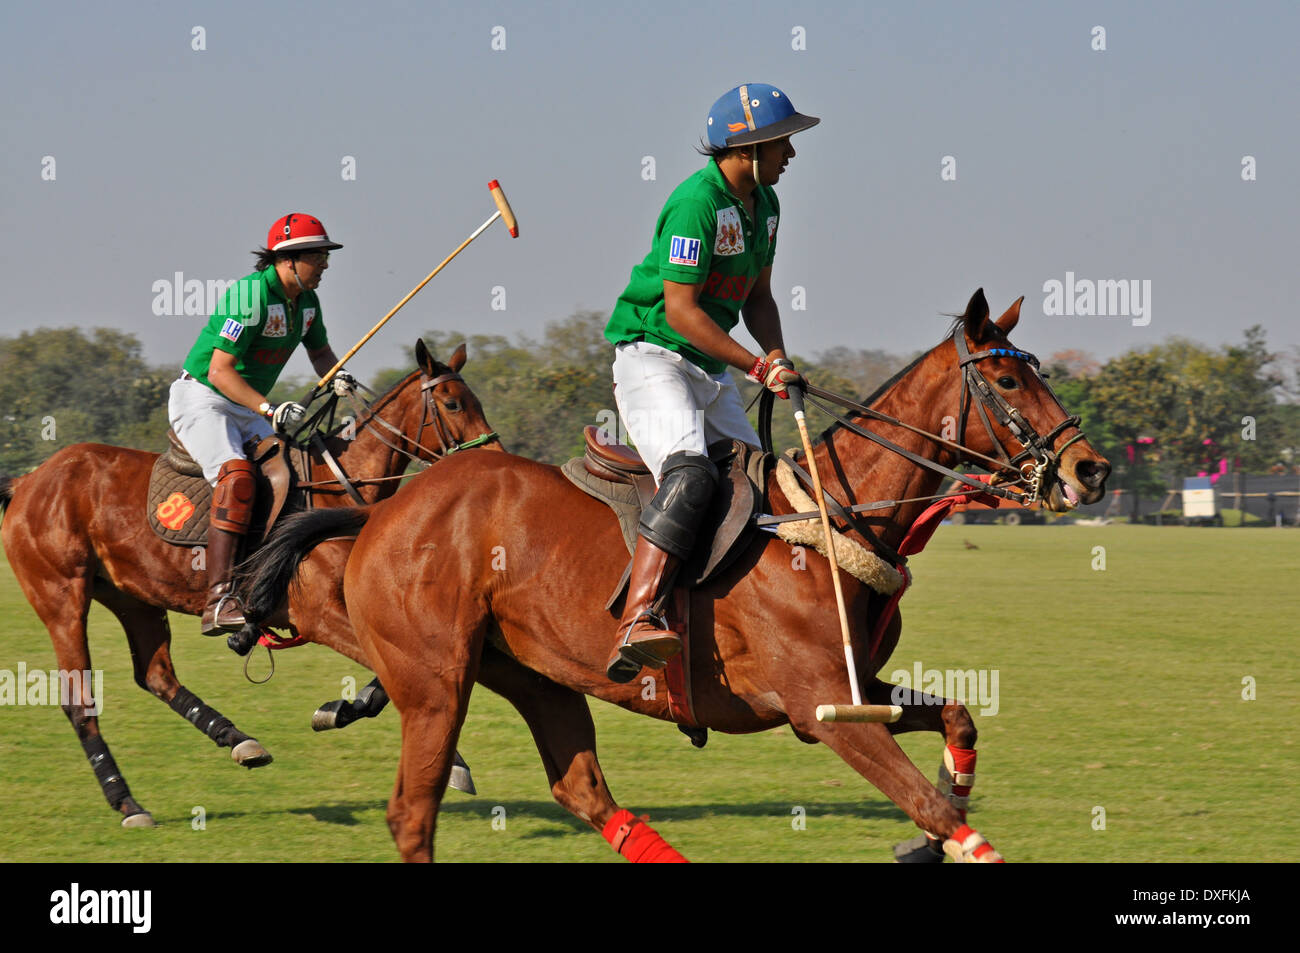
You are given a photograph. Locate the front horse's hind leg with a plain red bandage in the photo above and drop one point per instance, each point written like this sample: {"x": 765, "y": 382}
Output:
{"x": 562, "y": 727}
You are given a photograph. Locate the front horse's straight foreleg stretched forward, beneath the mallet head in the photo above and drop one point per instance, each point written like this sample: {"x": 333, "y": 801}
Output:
{"x": 872, "y": 751}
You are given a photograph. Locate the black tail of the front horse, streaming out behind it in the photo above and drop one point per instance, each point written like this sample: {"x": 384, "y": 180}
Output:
{"x": 263, "y": 581}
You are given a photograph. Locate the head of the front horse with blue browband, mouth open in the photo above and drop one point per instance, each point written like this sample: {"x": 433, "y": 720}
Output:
{"x": 1008, "y": 410}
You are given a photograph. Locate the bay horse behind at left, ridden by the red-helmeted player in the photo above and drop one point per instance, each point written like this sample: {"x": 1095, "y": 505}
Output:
{"x": 76, "y": 530}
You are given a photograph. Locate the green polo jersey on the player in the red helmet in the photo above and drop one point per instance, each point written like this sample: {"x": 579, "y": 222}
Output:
{"x": 258, "y": 324}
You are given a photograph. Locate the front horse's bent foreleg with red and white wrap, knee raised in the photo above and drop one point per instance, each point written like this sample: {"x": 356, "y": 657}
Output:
{"x": 954, "y": 721}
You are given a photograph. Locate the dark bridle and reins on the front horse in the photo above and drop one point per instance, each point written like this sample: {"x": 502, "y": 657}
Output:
{"x": 1034, "y": 469}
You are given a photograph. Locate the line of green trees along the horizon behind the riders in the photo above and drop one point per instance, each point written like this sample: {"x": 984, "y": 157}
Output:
{"x": 1159, "y": 414}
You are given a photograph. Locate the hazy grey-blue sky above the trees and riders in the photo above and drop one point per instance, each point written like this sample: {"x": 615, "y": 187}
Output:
{"x": 1116, "y": 164}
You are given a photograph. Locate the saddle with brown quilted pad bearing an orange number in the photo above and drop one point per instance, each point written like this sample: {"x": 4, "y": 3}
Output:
{"x": 180, "y": 500}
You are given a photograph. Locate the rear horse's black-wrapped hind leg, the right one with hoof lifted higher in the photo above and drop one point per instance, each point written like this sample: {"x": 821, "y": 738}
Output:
{"x": 150, "y": 639}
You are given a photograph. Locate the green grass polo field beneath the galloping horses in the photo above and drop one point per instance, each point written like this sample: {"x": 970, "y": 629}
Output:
{"x": 1120, "y": 690}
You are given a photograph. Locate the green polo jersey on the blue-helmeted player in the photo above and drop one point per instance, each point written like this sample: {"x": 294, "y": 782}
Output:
{"x": 704, "y": 237}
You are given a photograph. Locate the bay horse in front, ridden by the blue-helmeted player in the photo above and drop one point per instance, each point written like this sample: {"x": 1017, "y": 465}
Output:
{"x": 495, "y": 569}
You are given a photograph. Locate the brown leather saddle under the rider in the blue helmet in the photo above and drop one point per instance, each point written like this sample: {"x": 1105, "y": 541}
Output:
{"x": 614, "y": 474}
